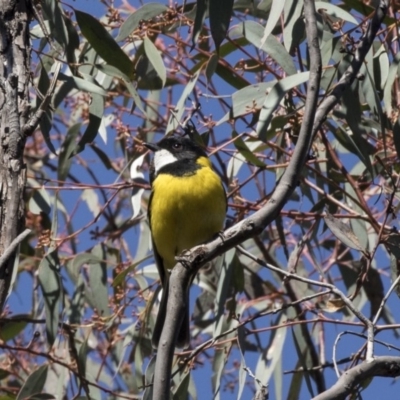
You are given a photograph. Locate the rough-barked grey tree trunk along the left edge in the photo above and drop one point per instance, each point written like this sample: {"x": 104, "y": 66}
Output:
{"x": 14, "y": 109}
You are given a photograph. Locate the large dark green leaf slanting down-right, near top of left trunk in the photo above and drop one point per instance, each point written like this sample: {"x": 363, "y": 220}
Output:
{"x": 104, "y": 44}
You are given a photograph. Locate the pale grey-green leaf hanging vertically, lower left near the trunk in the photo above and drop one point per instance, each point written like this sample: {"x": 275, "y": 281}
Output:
{"x": 50, "y": 283}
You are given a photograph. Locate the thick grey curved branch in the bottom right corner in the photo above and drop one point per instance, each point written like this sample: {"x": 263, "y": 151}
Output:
{"x": 388, "y": 367}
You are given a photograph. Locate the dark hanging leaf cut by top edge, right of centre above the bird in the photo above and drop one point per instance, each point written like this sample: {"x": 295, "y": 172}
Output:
{"x": 220, "y": 15}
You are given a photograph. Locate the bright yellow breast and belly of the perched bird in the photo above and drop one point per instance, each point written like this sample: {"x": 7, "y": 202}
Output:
{"x": 186, "y": 210}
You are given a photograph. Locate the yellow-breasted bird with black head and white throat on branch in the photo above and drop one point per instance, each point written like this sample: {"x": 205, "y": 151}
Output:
{"x": 187, "y": 207}
